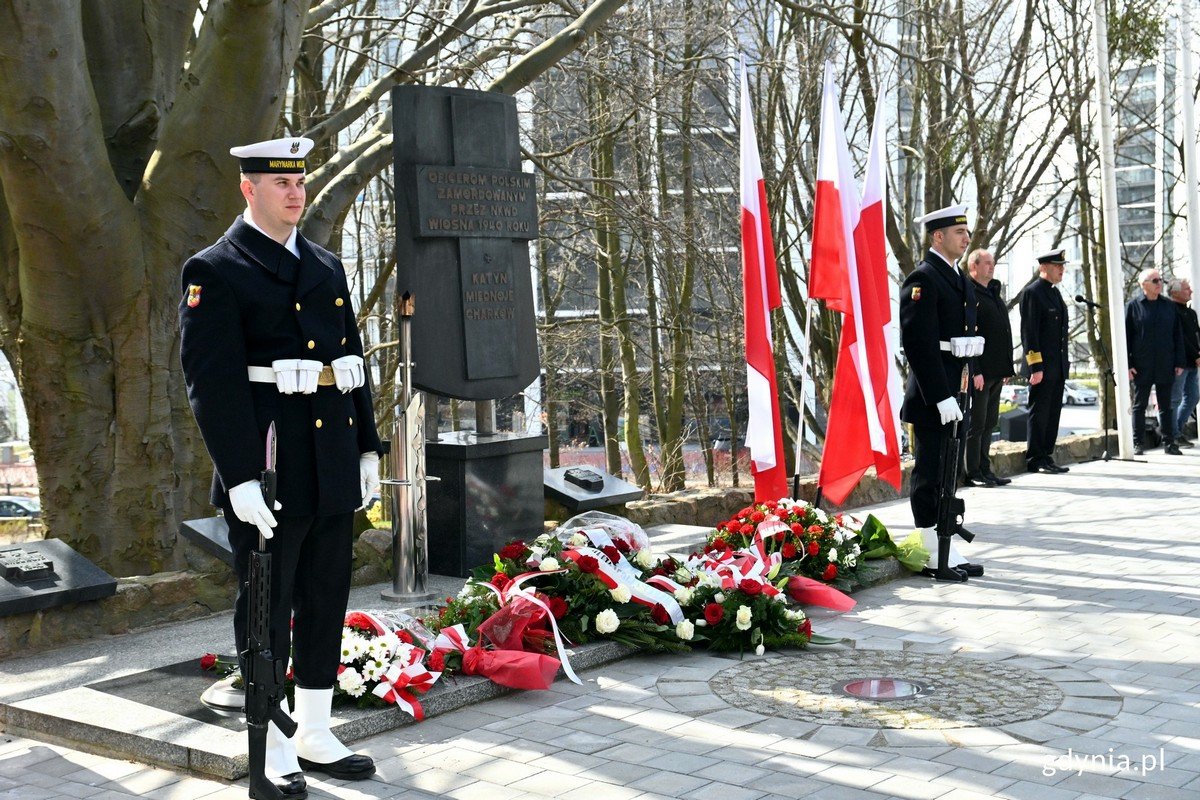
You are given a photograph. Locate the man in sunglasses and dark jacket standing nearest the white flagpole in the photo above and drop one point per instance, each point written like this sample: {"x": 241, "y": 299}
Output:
{"x": 1155, "y": 342}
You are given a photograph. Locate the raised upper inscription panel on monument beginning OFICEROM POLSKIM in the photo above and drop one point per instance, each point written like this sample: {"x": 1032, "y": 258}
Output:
{"x": 476, "y": 202}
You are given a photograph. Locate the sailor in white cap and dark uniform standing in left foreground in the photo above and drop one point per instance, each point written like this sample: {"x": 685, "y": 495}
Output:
{"x": 268, "y": 335}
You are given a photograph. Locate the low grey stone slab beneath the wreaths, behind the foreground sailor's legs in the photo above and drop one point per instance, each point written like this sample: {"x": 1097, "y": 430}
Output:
{"x": 157, "y": 717}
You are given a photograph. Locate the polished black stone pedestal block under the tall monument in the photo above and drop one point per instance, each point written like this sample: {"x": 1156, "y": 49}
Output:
{"x": 489, "y": 492}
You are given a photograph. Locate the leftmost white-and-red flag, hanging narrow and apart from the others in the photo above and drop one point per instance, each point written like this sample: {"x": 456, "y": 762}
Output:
{"x": 760, "y": 284}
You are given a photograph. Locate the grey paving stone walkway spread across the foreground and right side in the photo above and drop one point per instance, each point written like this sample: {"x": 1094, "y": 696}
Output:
{"x": 1071, "y": 672}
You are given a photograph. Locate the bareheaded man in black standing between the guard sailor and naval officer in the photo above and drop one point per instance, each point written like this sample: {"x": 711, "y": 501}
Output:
{"x": 991, "y": 371}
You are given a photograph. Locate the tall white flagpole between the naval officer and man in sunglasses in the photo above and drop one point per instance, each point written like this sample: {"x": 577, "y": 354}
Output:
{"x": 1114, "y": 269}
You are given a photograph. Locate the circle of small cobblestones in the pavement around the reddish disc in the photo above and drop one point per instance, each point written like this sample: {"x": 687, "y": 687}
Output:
{"x": 951, "y": 691}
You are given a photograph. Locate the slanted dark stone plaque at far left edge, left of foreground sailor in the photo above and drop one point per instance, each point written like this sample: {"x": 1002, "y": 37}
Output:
{"x": 49, "y": 574}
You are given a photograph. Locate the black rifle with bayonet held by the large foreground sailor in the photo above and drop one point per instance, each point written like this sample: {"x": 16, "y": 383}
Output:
{"x": 262, "y": 672}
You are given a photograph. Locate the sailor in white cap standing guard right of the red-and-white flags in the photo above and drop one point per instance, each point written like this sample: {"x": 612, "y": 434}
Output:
{"x": 938, "y": 332}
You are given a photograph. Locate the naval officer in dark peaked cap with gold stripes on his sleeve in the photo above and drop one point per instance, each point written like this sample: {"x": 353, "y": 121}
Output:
{"x": 1047, "y": 362}
